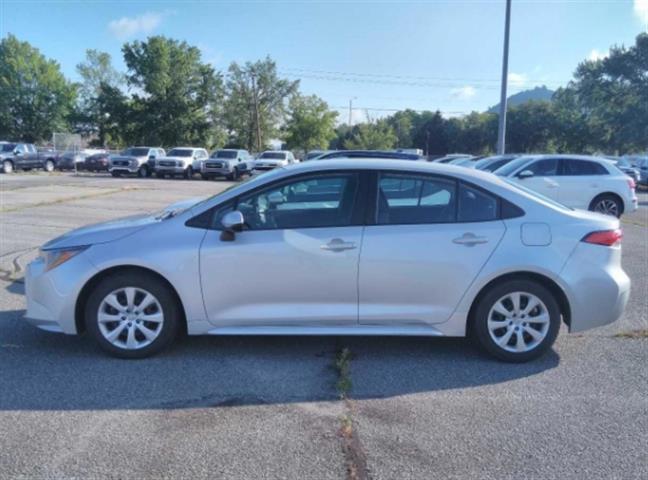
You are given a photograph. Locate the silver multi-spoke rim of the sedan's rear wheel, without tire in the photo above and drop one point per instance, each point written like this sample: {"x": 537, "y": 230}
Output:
{"x": 518, "y": 322}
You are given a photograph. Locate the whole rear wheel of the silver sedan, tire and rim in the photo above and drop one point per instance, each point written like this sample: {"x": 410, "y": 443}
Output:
{"x": 516, "y": 321}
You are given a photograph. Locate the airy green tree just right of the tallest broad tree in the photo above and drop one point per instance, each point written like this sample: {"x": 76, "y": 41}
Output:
{"x": 256, "y": 103}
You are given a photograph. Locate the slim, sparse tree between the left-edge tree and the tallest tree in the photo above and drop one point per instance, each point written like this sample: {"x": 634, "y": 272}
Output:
{"x": 97, "y": 78}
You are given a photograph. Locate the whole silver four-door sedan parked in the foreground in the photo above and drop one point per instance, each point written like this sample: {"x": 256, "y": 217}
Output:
{"x": 343, "y": 247}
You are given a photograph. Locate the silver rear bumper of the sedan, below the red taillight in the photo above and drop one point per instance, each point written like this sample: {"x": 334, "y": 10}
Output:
{"x": 598, "y": 291}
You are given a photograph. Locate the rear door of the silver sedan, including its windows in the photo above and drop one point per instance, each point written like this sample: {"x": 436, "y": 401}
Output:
{"x": 430, "y": 237}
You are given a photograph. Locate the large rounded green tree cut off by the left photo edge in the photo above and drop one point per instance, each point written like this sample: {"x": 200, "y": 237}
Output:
{"x": 35, "y": 98}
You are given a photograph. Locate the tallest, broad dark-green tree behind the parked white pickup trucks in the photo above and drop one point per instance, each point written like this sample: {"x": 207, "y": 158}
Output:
{"x": 178, "y": 98}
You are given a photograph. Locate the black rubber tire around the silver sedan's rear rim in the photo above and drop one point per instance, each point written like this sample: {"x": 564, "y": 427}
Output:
{"x": 479, "y": 322}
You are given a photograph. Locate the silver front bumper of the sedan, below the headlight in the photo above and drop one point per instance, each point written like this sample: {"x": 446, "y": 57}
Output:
{"x": 51, "y": 296}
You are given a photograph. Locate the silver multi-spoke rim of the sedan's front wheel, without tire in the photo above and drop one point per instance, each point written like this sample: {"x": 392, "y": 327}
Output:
{"x": 130, "y": 318}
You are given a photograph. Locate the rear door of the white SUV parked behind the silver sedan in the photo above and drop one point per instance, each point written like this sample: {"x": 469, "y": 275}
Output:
{"x": 580, "y": 182}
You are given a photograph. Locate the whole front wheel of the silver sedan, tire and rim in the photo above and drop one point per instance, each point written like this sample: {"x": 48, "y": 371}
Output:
{"x": 132, "y": 315}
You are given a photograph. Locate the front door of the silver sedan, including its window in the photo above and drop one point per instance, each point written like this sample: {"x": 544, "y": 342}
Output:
{"x": 295, "y": 263}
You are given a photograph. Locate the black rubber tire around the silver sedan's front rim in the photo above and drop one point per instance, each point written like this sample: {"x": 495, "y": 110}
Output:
{"x": 170, "y": 328}
